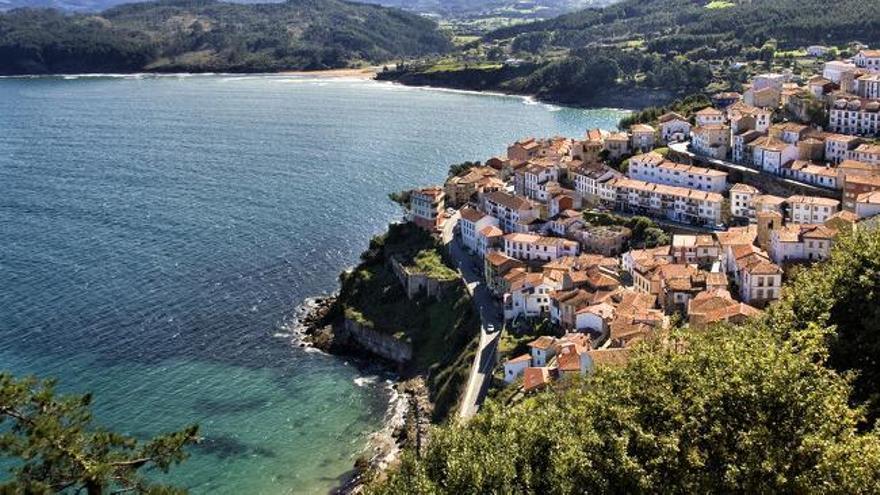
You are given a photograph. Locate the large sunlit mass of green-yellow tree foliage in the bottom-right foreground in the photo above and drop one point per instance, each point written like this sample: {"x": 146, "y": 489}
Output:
{"x": 756, "y": 408}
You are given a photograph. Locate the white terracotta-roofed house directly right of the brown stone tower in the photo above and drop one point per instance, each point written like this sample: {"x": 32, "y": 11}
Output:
{"x": 801, "y": 242}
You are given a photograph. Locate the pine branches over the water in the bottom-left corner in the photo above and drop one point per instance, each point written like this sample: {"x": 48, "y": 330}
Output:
{"x": 54, "y": 447}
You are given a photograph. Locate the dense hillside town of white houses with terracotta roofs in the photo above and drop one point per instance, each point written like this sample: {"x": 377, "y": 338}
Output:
{"x": 523, "y": 216}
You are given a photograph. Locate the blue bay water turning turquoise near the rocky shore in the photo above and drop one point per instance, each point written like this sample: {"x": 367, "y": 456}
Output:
{"x": 157, "y": 234}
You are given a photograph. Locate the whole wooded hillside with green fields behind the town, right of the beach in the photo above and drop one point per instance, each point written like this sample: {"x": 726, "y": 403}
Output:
{"x": 650, "y": 52}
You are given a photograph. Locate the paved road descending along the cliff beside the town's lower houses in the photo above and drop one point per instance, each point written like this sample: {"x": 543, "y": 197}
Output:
{"x": 489, "y": 310}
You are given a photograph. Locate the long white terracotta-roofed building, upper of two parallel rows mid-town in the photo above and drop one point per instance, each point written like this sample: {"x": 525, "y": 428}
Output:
{"x": 653, "y": 167}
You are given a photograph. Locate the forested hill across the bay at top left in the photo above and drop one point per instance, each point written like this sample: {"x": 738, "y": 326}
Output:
{"x": 211, "y": 36}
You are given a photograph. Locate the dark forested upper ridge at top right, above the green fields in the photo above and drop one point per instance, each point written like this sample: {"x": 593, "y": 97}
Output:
{"x": 689, "y": 23}
